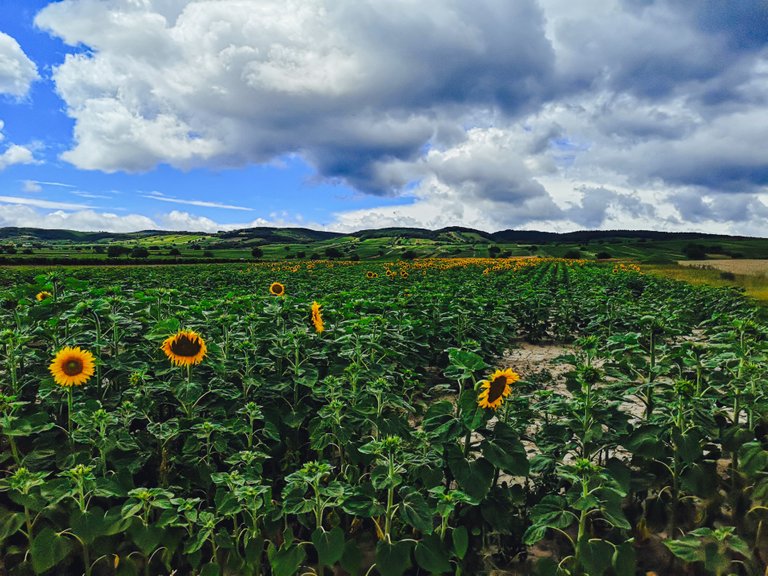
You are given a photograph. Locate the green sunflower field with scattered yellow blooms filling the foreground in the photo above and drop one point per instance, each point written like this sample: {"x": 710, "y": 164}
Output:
{"x": 340, "y": 418}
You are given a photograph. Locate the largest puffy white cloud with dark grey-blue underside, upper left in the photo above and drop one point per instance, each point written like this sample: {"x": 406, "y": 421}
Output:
{"x": 237, "y": 81}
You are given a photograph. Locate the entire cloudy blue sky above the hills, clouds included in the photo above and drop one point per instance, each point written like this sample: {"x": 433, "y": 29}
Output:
{"x": 349, "y": 114}
